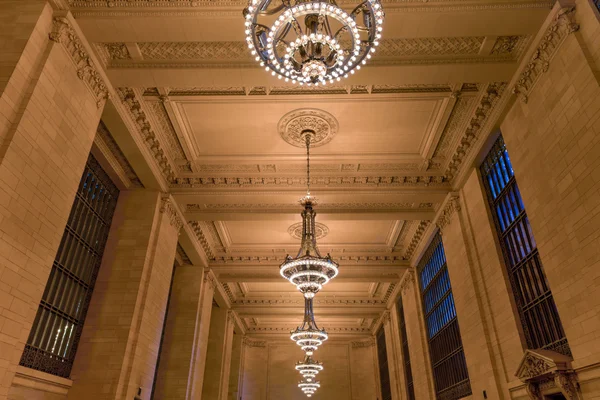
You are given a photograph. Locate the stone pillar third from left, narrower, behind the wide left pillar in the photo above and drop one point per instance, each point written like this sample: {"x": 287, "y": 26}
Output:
{"x": 183, "y": 355}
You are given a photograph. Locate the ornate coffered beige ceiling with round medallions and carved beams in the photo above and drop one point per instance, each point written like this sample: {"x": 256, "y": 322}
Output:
{"x": 200, "y": 120}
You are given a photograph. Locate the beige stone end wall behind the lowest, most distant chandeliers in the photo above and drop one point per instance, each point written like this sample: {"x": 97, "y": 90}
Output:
{"x": 269, "y": 374}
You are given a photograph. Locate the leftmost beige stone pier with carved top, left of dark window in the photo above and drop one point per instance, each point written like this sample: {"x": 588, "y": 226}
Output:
{"x": 51, "y": 99}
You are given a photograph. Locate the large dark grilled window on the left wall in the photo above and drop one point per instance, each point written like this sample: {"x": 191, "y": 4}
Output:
{"x": 59, "y": 321}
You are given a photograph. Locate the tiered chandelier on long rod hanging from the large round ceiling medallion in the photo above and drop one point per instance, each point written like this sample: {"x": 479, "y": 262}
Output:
{"x": 309, "y": 271}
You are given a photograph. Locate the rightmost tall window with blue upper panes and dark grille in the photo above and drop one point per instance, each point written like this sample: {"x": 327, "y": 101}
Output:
{"x": 538, "y": 314}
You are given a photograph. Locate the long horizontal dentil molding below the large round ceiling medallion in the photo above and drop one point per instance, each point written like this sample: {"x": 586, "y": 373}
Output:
{"x": 319, "y": 181}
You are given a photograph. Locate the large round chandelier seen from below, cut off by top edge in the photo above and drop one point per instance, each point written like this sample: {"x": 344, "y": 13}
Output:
{"x": 312, "y": 41}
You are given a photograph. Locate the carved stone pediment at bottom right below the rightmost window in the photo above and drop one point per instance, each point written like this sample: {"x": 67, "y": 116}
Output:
{"x": 548, "y": 372}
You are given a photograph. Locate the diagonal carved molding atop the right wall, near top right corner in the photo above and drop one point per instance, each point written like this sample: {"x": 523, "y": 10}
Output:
{"x": 539, "y": 63}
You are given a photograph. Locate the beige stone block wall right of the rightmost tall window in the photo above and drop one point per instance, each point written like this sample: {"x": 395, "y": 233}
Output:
{"x": 554, "y": 144}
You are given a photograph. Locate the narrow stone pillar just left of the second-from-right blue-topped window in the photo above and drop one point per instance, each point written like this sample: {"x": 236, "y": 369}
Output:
{"x": 417, "y": 337}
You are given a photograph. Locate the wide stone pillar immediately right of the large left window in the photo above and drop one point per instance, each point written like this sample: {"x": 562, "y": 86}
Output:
{"x": 120, "y": 340}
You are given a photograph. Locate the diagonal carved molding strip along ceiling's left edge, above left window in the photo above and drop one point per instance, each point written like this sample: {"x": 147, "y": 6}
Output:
{"x": 137, "y": 114}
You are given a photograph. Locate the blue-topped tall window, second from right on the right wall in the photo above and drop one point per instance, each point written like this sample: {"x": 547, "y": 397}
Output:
{"x": 450, "y": 373}
